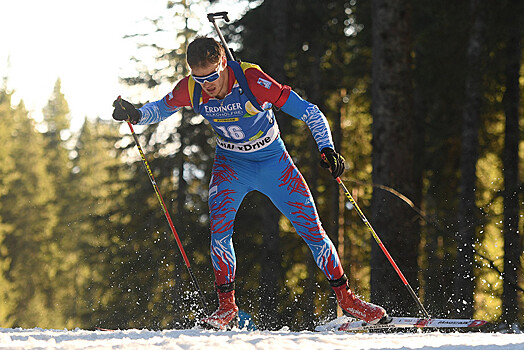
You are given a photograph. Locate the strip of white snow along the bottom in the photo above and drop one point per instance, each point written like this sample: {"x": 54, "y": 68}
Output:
{"x": 241, "y": 339}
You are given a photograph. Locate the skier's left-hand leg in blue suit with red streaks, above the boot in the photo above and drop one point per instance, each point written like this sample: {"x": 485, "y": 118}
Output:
{"x": 226, "y": 191}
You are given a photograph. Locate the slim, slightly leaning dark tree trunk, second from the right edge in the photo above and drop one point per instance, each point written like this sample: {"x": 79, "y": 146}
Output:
{"x": 464, "y": 276}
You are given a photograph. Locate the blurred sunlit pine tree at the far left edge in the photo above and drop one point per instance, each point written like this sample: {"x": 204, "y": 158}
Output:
{"x": 28, "y": 208}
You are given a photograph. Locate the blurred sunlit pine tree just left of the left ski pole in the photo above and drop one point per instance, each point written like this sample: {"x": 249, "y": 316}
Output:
{"x": 98, "y": 218}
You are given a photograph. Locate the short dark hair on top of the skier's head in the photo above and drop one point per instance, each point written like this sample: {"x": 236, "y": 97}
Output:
{"x": 203, "y": 51}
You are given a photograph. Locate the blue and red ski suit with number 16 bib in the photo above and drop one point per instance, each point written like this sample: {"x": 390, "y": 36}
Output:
{"x": 250, "y": 155}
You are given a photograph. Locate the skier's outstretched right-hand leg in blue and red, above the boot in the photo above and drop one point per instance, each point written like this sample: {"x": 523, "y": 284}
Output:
{"x": 283, "y": 183}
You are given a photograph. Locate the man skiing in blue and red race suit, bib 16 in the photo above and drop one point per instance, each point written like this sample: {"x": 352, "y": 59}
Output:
{"x": 250, "y": 155}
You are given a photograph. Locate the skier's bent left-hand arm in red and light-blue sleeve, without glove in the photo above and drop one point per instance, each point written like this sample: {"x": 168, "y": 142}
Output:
{"x": 155, "y": 112}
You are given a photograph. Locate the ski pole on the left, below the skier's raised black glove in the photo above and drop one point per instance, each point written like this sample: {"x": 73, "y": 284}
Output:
{"x": 166, "y": 213}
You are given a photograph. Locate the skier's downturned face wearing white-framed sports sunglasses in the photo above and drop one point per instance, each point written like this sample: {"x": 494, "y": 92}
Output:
{"x": 212, "y": 77}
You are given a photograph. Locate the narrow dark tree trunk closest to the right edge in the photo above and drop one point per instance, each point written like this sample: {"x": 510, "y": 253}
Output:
{"x": 512, "y": 240}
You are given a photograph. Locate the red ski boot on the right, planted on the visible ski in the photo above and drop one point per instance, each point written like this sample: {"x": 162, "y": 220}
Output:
{"x": 354, "y": 306}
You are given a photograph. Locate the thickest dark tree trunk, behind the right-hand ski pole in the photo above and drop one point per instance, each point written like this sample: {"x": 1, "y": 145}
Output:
{"x": 393, "y": 160}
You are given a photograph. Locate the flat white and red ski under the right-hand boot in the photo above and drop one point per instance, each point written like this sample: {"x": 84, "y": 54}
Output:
{"x": 347, "y": 324}
